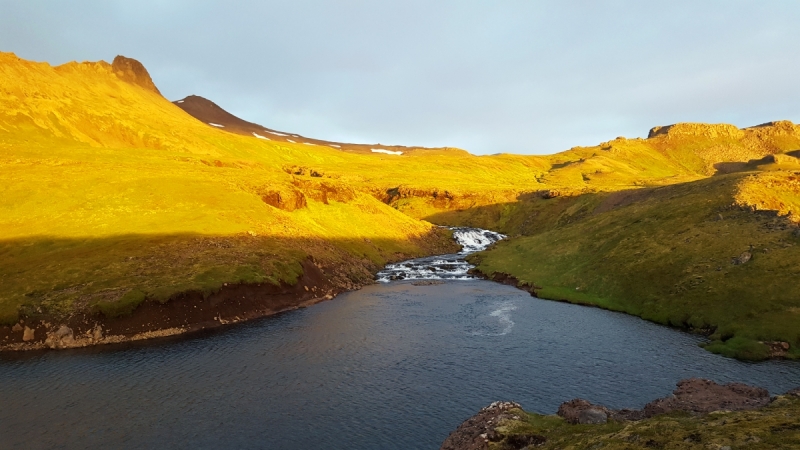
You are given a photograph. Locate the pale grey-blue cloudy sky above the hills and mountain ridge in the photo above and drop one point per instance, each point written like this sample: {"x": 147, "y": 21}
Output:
{"x": 532, "y": 77}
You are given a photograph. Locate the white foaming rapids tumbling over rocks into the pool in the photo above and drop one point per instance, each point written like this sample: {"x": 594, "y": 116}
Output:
{"x": 443, "y": 267}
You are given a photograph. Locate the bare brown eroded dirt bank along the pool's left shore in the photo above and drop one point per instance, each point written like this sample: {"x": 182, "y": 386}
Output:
{"x": 184, "y": 312}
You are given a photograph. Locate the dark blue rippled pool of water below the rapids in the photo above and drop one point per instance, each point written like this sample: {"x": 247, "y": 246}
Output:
{"x": 390, "y": 366}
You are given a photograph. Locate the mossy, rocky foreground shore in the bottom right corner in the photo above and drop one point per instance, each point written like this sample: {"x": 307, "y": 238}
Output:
{"x": 699, "y": 414}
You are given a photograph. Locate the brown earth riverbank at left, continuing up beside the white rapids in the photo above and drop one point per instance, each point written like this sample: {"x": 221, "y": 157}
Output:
{"x": 219, "y": 304}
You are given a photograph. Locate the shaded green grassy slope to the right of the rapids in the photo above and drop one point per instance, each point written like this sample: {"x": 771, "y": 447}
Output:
{"x": 665, "y": 254}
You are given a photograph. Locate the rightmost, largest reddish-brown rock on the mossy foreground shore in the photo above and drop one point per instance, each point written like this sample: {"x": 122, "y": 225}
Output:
{"x": 697, "y": 395}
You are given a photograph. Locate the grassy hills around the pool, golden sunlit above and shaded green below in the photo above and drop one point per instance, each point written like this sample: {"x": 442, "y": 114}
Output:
{"x": 113, "y": 197}
